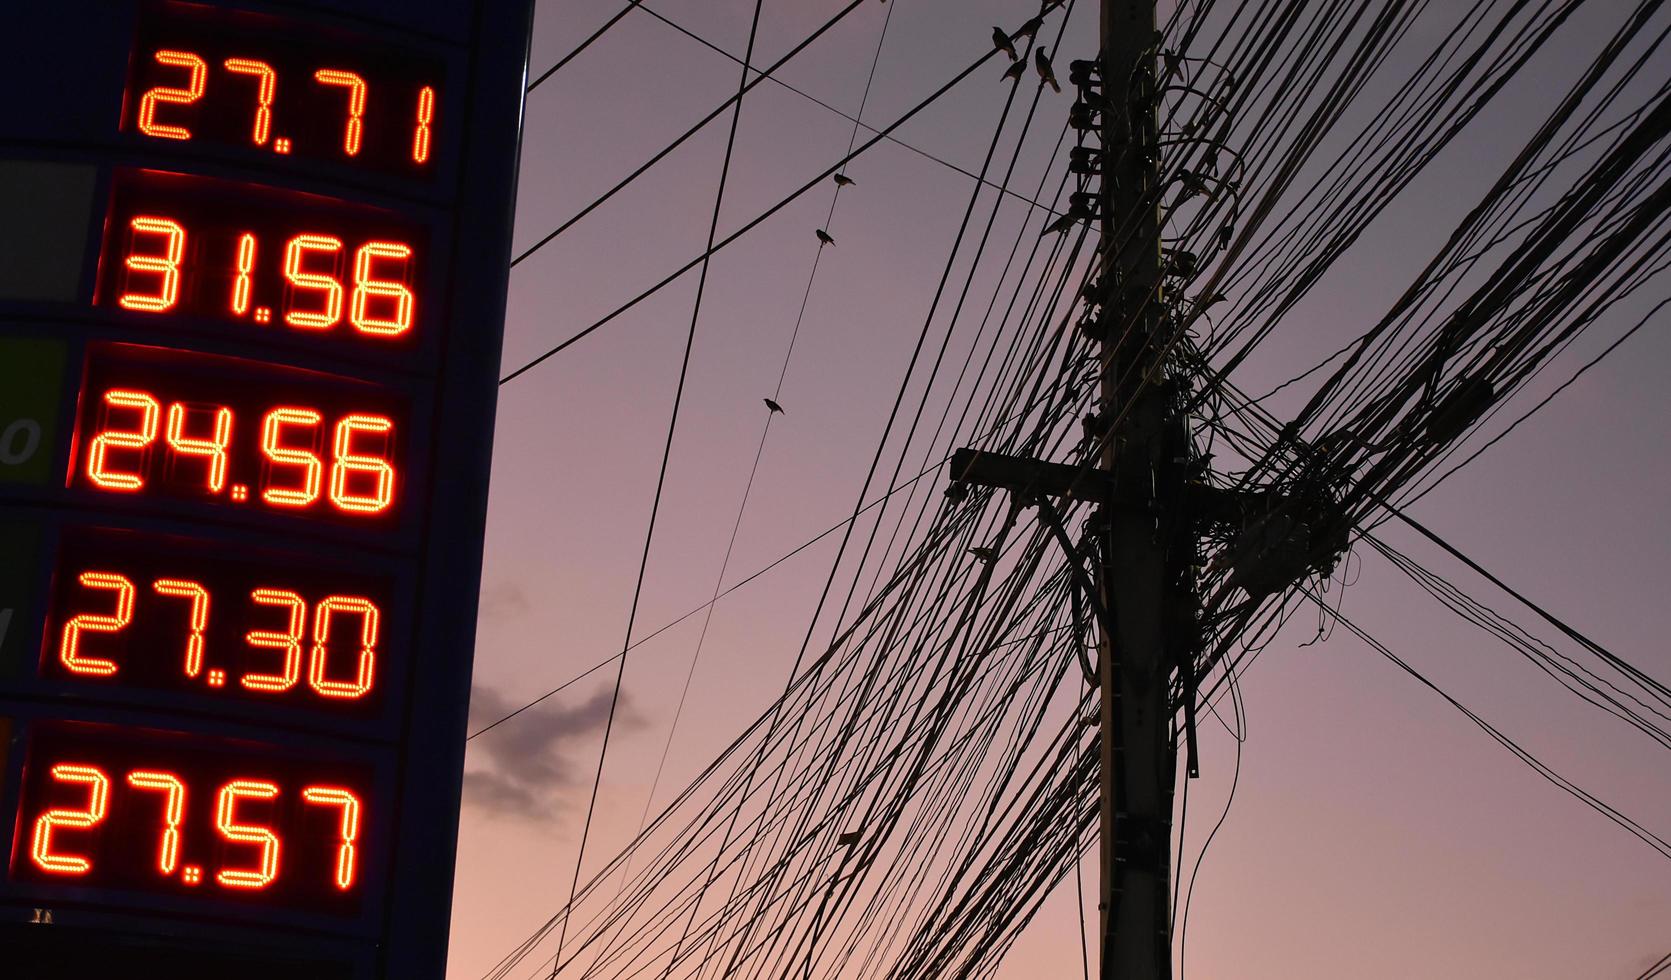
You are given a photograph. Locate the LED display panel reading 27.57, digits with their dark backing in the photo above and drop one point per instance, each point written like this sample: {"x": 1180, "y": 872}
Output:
{"x": 183, "y": 815}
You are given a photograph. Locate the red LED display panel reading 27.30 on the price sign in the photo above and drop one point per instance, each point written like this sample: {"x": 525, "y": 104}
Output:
{"x": 163, "y": 615}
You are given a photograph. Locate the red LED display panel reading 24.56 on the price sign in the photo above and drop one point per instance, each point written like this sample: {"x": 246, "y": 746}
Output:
{"x": 238, "y": 434}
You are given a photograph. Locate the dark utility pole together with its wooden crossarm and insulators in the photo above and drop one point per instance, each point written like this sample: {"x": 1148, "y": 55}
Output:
{"x": 1147, "y": 519}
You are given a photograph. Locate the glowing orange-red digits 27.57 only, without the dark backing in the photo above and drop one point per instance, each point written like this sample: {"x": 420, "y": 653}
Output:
{"x": 262, "y": 847}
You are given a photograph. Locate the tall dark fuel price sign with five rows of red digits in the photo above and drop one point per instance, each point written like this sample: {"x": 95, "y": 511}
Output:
{"x": 253, "y": 268}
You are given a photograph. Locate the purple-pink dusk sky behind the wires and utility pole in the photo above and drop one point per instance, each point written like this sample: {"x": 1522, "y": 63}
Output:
{"x": 1376, "y": 834}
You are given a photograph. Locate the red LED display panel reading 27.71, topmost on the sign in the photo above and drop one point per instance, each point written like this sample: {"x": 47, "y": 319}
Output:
{"x": 205, "y": 76}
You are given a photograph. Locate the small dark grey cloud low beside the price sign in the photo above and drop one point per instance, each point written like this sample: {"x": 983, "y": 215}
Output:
{"x": 524, "y": 767}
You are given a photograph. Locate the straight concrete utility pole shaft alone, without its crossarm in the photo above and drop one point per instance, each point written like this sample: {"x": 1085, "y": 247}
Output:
{"x": 1134, "y": 665}
